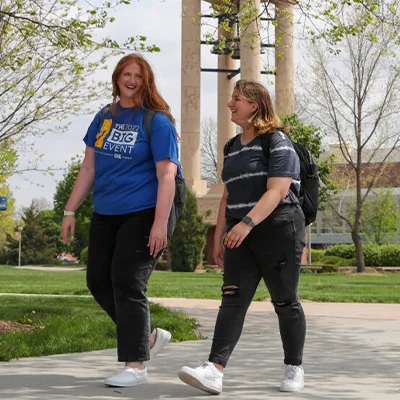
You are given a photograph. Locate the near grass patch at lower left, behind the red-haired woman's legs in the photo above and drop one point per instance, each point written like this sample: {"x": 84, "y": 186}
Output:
{"x": 69, "y": 325}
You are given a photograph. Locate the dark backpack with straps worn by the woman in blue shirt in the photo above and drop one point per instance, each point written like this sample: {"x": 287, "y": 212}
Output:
{"x": 180, "y": 184}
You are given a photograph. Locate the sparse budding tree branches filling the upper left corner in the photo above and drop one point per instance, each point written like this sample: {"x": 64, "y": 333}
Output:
{"x": 49, "y": 55}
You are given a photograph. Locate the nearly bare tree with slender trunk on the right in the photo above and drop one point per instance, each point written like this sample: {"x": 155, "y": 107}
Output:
{"x": 355, "y": 96}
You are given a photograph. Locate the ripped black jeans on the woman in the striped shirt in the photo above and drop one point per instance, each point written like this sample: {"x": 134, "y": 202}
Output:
{"x": 271, "y": 251}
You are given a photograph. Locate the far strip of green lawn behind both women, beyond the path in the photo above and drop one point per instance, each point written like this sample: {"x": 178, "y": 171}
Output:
{"x": 333, "y": 287}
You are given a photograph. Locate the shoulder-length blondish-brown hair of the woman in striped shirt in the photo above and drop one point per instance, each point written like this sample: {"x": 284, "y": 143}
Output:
{"x": 264, "y": 118}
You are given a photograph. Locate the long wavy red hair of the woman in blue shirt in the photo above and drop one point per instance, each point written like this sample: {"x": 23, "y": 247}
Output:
{"x": 148, "y": 95}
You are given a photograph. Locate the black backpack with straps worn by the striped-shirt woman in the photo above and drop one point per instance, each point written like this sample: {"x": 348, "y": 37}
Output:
{"x": 309, "y": 179}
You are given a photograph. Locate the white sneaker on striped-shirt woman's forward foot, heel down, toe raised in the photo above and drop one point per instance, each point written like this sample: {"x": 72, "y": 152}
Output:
{"x": 205, "y": 377}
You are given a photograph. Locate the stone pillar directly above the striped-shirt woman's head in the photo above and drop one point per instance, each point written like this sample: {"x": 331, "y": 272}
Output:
{"x": 250, "y": 45}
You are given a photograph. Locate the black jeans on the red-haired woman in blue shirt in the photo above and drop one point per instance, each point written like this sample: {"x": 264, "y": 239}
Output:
{"x": 118, "y": 270}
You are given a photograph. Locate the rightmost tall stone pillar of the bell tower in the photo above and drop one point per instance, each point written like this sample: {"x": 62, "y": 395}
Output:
{"x": 284, "y": 59}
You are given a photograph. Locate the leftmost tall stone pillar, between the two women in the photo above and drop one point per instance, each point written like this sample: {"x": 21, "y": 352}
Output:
{"x": 190, "y": 94}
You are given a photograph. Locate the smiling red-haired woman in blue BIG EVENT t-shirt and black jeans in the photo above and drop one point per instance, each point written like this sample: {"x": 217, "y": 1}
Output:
{"x": 132, "y": 175}
